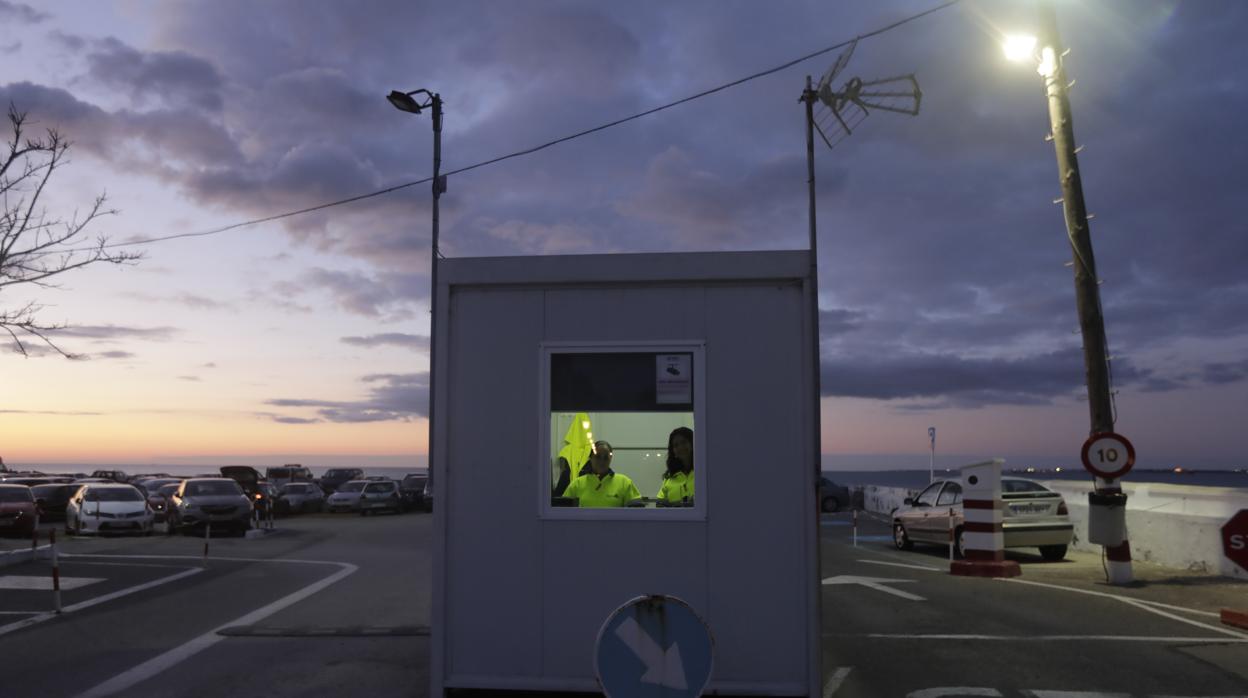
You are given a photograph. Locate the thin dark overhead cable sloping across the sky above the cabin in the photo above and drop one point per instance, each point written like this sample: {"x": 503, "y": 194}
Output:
{"x": 539, "y": 148}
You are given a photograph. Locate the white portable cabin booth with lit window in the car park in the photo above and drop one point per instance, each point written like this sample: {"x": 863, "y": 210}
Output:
{"x": 521, "y": 584}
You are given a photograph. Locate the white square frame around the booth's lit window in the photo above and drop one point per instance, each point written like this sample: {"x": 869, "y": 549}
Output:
{"x": 697, "y": 513}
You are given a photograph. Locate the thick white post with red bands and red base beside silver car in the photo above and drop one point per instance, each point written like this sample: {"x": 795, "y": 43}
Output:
{"x": 983, "y": 538}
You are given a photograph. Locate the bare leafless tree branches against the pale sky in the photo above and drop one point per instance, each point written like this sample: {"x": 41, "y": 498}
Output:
{"x": 36, "y": 248}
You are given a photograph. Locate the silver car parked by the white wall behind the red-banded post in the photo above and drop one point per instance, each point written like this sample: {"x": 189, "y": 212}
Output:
{"x": 1034, "y": 516}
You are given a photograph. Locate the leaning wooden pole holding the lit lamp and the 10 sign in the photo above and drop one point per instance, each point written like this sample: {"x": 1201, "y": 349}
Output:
{"x": 1088, "y": 294}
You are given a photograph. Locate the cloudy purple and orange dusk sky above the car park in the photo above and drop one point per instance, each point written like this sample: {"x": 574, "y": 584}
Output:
{"x": 945, "y": 299}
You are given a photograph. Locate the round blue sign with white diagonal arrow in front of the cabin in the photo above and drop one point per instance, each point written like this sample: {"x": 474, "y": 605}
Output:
{"x": 655, "y": 647}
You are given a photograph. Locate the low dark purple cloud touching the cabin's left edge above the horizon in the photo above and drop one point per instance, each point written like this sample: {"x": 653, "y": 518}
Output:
{"x": 391, "y": 398}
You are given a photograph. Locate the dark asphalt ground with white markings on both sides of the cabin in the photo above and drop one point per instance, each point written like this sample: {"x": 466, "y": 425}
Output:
{"x": 340, "y": 606}
